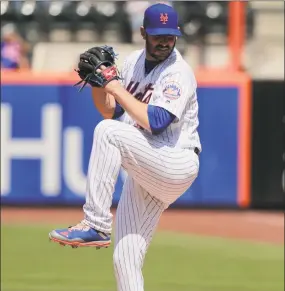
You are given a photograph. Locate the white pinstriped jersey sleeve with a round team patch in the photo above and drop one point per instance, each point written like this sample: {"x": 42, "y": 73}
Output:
{"x": 173, "y": 93}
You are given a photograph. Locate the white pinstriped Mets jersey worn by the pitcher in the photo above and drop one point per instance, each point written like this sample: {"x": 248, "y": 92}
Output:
{"x": 171, "y": 85}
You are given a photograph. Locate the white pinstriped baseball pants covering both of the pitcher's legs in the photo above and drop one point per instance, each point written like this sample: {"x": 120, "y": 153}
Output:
{"x": 157, "y": 176}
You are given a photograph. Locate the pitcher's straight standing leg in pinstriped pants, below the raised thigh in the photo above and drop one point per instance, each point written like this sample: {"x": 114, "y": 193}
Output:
{"x": 137, "y": 217}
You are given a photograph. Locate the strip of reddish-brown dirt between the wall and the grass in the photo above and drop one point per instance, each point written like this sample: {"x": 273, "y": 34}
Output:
{"x": 246, "y": 225}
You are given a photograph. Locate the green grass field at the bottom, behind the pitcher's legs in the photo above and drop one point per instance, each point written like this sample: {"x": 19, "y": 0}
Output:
{"x": 29, "y": 262}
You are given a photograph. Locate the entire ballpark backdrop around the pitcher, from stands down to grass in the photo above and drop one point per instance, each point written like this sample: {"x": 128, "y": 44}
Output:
{"x": 226, "y": 233}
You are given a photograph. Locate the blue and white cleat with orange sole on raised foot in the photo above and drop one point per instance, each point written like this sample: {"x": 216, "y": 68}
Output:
{"x": 80, "y": 235}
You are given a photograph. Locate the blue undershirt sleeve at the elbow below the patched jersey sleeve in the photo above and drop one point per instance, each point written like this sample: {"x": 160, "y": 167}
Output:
{"x": 159, "y": 118}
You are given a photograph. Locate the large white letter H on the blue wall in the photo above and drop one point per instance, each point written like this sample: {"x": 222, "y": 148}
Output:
{"x": 45, "y": 148}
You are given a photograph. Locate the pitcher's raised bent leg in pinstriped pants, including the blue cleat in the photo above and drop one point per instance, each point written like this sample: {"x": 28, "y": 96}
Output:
{"x": 164, "y": 171}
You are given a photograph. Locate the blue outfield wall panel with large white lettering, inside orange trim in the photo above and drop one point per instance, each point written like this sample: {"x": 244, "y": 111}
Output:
{"x": 46, "y": 139}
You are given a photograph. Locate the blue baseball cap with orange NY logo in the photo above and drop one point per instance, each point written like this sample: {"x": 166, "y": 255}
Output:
{"x": 161, "y": 19}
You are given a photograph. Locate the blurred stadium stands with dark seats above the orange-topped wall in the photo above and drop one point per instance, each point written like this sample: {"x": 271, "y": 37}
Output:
{"x": 56, "y": 31}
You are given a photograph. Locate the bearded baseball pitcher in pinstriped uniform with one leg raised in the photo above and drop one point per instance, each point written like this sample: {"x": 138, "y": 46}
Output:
{"x": 149, "y": 129}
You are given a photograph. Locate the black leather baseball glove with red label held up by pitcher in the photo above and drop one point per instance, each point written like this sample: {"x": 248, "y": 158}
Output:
{"x": 90, "y": 61}
